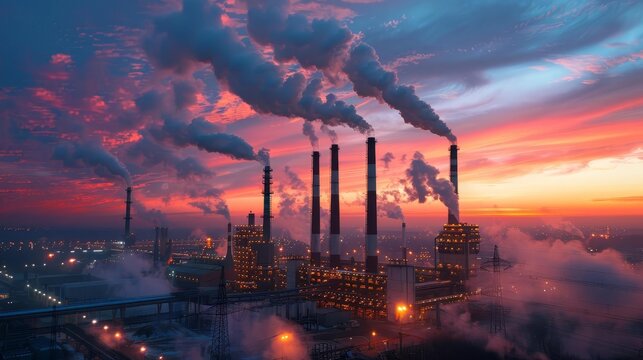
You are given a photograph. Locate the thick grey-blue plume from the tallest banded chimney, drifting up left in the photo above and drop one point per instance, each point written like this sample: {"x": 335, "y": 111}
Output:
{"x": 197, "y": 35}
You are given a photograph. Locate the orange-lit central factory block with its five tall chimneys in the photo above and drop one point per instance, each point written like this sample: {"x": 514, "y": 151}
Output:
{"x": 396, "y": 290}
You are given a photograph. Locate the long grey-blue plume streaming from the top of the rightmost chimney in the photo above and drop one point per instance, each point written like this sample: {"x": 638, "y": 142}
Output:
{"x": 325, "y": 44}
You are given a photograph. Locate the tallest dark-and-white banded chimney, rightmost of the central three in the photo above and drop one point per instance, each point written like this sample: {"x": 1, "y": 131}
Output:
{"x": 371, "y": 209}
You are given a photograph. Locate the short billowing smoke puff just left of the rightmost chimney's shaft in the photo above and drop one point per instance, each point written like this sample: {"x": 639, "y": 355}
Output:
{"x": 424, "y": 183}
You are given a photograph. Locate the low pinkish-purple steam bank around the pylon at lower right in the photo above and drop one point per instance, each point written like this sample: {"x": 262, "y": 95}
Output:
{"x": 565, "y": 300}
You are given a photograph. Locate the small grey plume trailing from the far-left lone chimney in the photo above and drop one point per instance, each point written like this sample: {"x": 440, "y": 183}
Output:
{"x": 94, "y": 156}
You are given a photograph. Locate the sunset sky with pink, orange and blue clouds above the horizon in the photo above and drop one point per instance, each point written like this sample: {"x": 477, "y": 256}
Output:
{"x": 546, "y": 101}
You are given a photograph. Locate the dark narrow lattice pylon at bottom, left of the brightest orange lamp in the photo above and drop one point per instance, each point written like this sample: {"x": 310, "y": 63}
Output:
{"x": 220, "y": 347}
